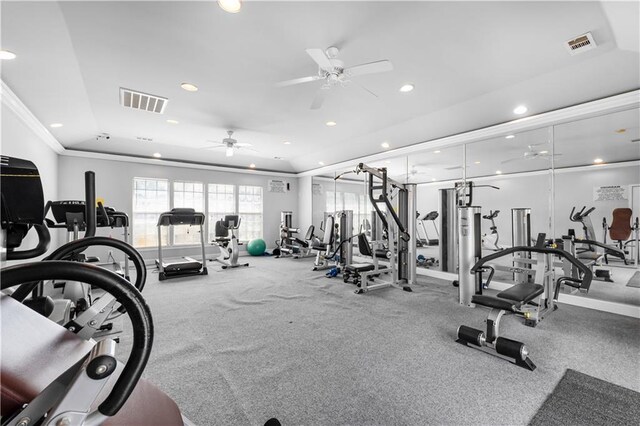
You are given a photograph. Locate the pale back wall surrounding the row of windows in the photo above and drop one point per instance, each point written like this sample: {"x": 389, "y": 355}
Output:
{"x": 114, "y": 182}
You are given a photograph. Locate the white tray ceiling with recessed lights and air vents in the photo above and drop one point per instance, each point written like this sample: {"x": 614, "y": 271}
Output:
{"x": 471, "y": 63}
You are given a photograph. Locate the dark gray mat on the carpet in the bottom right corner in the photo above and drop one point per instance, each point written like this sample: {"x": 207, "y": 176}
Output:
{"x": 579, "y": 399}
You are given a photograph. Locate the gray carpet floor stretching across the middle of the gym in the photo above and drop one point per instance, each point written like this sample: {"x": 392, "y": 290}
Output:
{"x": 239, "y": 346}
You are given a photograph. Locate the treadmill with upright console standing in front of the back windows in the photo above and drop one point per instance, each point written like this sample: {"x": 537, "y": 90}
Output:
{"x": 186, "y": 265}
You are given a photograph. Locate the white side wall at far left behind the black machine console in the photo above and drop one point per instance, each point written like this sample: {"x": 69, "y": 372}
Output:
{"x": 18, "y": 140}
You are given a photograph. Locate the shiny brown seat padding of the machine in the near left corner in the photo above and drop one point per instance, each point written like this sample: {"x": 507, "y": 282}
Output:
{"x": 50, "y": 350}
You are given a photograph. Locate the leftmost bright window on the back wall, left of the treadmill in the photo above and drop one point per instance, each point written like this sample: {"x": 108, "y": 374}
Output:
{"x": 150, "y": 198}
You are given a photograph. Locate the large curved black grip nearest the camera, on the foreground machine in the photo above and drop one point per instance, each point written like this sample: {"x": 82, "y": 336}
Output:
{"x": 124, "y": 293}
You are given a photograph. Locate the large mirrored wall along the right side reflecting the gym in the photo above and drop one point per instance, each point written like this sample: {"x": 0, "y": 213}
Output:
{"x": 543, "y": 173}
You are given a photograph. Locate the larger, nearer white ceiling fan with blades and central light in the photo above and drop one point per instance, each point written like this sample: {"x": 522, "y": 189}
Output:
{"x": 332, "y": 73}
